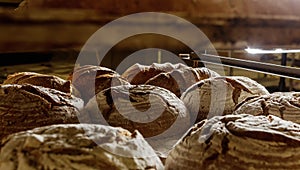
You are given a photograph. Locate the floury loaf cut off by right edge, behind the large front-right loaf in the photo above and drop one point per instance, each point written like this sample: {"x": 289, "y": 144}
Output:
{"x": 282, "y": 104}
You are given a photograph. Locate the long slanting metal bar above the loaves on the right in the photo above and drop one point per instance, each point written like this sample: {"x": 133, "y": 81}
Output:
{"x": 267, "y": 68}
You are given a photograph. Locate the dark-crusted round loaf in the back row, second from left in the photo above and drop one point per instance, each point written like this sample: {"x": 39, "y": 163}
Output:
{"x": 83, "y": 78}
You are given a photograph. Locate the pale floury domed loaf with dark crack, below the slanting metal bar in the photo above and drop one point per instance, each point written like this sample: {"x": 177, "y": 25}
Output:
{"x": 219, "y": 95}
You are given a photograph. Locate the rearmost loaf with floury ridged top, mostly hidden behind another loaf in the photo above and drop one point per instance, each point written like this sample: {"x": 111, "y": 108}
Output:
{"x": 140, "y": 74}
